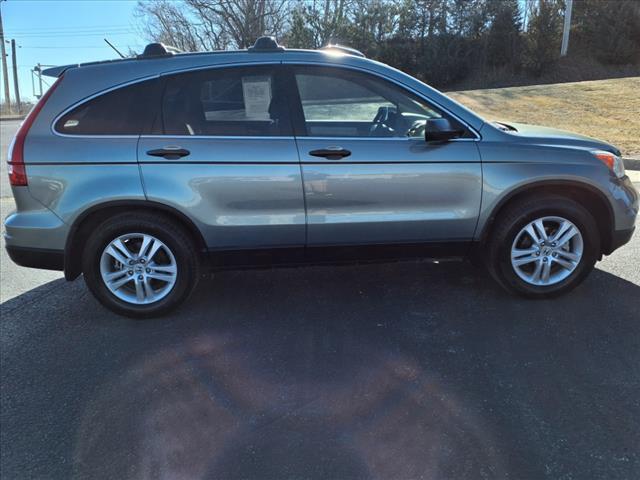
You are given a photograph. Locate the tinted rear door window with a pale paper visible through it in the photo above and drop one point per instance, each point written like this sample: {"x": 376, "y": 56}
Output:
{"x": 246, "y": 101}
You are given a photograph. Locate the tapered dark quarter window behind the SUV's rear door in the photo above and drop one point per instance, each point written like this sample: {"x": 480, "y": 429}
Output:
{"x": 125, "y": 111}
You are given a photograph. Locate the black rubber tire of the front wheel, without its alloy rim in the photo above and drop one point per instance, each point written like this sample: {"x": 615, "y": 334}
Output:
{"x": 517, "y": 216}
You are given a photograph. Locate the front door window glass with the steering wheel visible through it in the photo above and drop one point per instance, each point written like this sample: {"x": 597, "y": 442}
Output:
{"x": 338, "y": 102}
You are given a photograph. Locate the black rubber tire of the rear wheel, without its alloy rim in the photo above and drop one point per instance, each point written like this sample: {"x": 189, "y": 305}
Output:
{"x": 164, "y": 229}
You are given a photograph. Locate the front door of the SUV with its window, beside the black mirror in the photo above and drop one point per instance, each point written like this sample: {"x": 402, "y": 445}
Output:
{"x": 369, "y": 176}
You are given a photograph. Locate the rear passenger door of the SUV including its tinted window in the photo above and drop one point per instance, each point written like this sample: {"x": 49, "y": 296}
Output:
{"x": 224, "y": 154}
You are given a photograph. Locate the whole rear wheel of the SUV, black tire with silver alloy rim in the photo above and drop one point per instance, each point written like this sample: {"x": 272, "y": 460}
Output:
{"x": 140, "y": 265}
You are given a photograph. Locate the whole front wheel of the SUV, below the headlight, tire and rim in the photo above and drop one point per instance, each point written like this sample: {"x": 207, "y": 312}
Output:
{"x": 543, "y": 247}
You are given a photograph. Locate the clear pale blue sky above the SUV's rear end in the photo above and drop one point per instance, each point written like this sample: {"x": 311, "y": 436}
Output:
{"x": 55, "y": 32}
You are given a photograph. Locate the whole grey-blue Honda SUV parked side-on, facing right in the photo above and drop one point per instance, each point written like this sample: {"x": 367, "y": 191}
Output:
{"x": 134, "y": 172}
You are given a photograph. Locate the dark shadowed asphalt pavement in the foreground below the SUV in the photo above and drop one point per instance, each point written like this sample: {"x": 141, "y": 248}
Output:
{"x": 377, "y": 371}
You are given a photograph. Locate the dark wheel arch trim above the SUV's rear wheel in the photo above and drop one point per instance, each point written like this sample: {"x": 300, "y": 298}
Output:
{"x": 93, "y": 216}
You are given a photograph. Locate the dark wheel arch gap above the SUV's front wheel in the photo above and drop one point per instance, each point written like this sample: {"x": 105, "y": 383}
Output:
{"x": 587, "y": 195}
